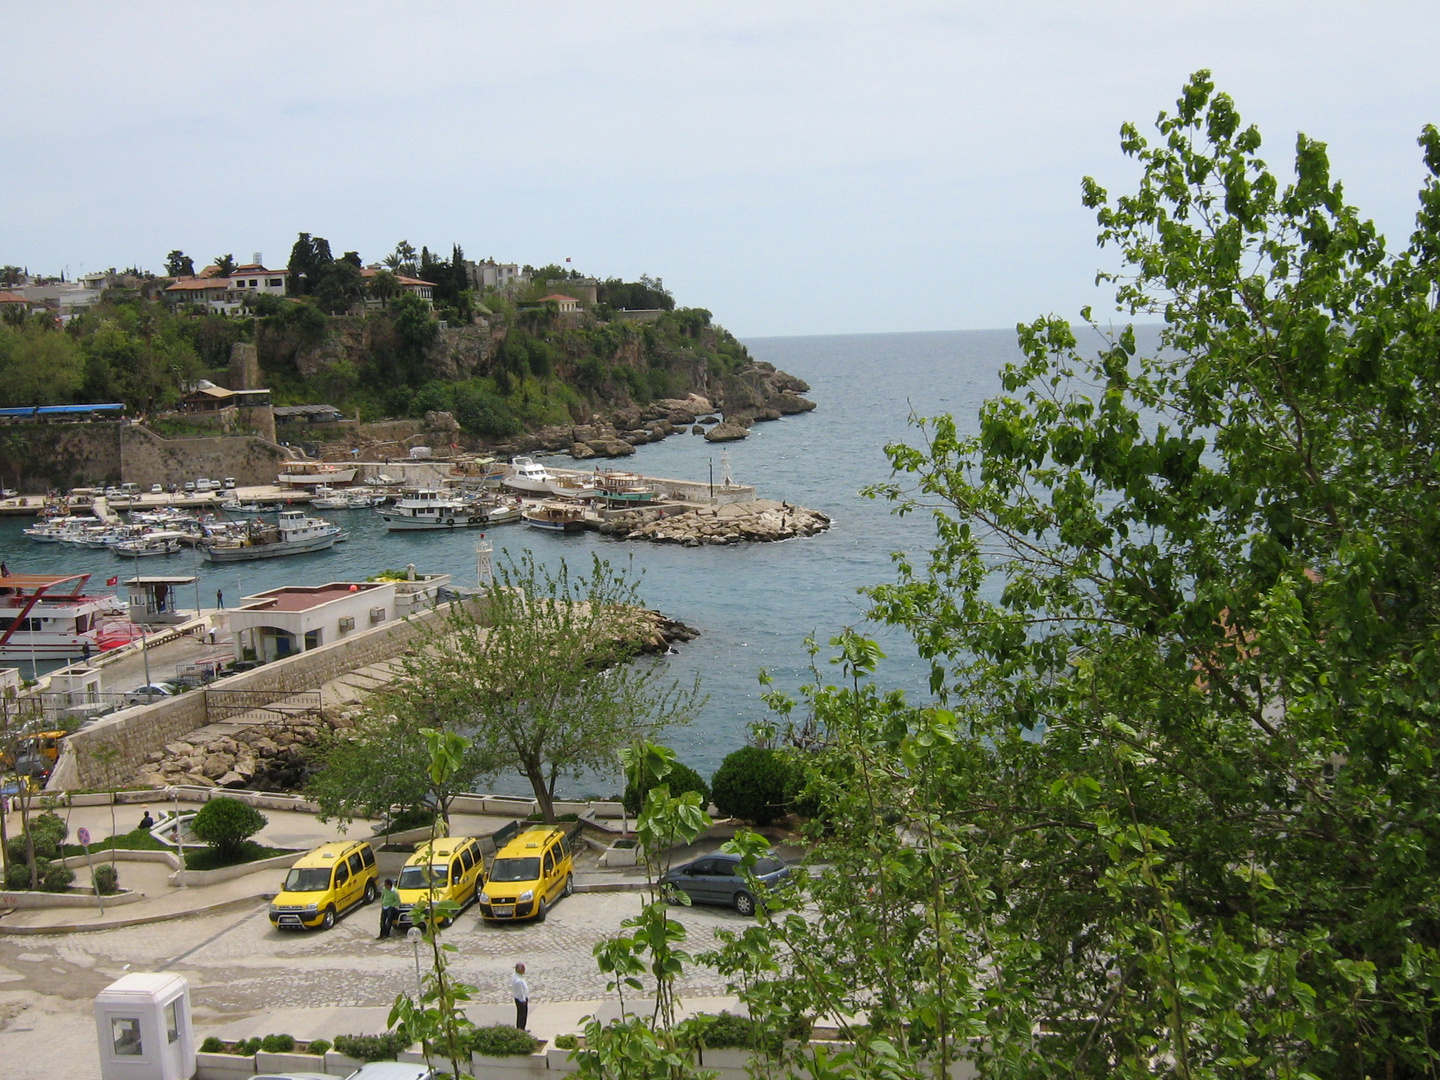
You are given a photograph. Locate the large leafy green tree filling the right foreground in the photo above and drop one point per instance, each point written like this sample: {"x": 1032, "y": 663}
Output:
{"x": 1182, "y": 813}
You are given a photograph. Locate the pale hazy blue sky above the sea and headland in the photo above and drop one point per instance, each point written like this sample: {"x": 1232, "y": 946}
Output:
{"x": 794, "y": 168}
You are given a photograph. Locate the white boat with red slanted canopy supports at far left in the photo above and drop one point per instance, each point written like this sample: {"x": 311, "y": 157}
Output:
{"x": 45, "y": 617}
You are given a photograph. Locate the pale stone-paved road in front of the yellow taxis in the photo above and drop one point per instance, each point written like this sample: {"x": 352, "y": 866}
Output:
{"x": 247, "y": 978}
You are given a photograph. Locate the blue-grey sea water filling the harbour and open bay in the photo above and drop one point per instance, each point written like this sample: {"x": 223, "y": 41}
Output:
{"x": 754, "y": 606}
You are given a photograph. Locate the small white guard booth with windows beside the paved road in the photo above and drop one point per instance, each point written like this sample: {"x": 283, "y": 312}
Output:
{"x": 143, "y": 1023}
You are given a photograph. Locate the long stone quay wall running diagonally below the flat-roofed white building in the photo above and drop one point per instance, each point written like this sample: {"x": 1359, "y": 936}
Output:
{"x": 112, "y": 752}
